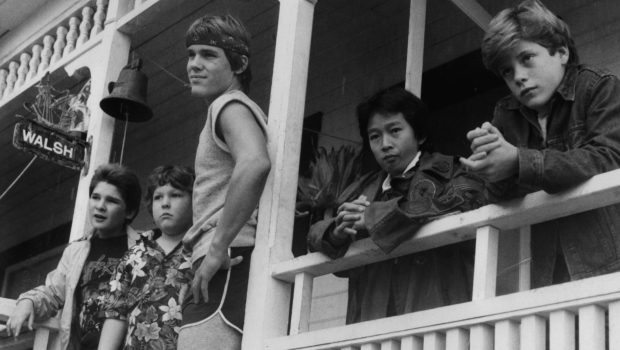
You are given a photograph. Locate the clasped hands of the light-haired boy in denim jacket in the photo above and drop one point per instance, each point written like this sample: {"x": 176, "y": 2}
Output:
{"x": 492, "y": 158}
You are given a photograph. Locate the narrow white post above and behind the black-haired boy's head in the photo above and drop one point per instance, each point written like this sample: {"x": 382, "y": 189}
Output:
{"x": 415, "y": 46}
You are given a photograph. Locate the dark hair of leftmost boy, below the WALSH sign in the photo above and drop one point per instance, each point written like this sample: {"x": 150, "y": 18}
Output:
{"x": 125, "y": 181}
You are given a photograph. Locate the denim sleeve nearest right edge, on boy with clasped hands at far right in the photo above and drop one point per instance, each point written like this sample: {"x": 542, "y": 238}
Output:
{"x": 553, "y": 170}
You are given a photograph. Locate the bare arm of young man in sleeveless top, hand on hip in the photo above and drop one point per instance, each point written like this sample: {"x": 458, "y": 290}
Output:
{"x": 248, "y": 148}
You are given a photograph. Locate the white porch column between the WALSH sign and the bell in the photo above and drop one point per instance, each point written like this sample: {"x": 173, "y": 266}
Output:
{"x": 114, "y": 51}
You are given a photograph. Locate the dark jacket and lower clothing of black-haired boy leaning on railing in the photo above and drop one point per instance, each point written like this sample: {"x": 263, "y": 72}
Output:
{"x": 441, "y": 276}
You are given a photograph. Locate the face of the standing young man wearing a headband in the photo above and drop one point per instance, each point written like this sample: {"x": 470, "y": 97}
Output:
{"x": 209, "y": 72}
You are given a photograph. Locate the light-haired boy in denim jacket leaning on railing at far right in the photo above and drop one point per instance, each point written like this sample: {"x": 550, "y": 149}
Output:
{"x": 559, "y": 127}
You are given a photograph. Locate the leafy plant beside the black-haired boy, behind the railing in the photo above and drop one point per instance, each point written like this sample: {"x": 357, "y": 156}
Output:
{"x": 330, "y": 173}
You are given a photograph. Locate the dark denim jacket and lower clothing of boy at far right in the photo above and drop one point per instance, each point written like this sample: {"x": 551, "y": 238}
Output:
{"x": 583, "y": 139}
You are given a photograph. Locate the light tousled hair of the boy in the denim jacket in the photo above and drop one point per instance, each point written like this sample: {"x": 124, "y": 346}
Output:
{"x": 531, "y": 21}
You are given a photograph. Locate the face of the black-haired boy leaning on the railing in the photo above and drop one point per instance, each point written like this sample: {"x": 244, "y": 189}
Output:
{"x": 392, "y": 141}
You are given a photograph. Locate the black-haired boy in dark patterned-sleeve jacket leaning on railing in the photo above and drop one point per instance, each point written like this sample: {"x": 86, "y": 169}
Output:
{"x": 413, "y": 187}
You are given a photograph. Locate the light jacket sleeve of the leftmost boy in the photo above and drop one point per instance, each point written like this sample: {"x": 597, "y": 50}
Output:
{"x": 48, "y": 299}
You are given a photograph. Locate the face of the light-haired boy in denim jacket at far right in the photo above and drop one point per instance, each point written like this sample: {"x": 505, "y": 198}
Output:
{"x": 533, "y": 74}
